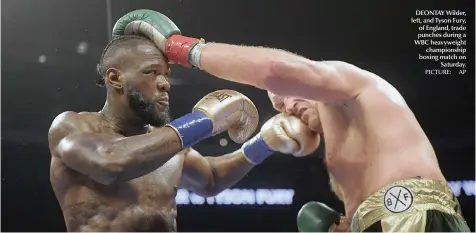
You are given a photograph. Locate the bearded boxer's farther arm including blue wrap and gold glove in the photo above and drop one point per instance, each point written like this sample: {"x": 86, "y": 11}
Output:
{"x": 208, "y": 176}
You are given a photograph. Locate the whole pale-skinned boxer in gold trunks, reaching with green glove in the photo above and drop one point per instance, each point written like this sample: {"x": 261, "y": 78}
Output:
{"x": 381, "y": 164}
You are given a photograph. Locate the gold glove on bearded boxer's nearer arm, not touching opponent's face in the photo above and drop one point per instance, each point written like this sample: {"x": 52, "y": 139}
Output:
{"x": 232, "y": 111}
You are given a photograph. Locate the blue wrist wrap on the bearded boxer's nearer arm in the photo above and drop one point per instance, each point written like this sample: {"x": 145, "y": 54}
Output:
{"x": 193, "y": 128}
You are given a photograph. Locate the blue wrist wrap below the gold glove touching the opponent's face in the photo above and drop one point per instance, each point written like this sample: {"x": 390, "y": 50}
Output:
{"x": 256, "y": 149}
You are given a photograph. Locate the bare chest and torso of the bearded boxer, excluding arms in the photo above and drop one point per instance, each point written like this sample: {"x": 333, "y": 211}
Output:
{"x": 143, "y": 204}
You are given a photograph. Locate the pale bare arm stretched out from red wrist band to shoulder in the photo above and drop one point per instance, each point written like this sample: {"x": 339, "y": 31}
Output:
{"x": 284, "y": 73}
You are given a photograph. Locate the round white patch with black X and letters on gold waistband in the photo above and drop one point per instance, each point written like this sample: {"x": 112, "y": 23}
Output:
{"x": 398, "y": 199}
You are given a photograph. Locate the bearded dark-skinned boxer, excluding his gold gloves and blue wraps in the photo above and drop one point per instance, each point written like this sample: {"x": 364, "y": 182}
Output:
{"x": 119, "y": 169}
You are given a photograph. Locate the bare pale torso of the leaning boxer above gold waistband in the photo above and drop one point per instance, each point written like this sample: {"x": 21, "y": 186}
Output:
{"x": 374, "y": 140}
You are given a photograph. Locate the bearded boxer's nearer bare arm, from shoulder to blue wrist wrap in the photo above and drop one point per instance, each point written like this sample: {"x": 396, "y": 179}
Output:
{"x": 108, "y": 159}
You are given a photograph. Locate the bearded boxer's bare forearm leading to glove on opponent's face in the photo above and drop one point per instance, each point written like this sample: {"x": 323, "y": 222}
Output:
{"x": 227, "y": 170}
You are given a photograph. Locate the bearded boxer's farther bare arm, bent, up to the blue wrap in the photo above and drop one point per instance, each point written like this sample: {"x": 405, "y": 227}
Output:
{"x": 208, "y": 176}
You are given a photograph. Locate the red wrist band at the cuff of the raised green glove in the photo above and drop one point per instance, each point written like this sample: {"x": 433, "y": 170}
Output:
{"x": 178, "y": 48}
